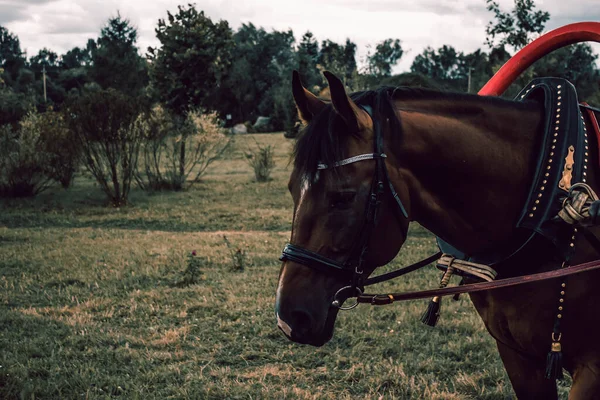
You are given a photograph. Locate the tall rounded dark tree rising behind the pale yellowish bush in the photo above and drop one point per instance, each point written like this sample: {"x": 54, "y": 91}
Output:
{"x": 188, "y": 69}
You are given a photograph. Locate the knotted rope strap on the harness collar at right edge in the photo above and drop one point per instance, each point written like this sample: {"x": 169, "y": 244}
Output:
{"x": 580, "y": 207}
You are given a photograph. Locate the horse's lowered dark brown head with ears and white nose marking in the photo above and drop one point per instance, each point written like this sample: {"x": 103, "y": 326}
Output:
{"x": 332, "y": 204}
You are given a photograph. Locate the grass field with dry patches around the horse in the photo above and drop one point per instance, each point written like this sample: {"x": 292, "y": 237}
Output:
{"x": 94, "y": 305}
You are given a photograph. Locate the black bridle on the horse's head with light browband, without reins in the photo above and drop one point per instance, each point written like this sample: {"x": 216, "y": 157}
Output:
{"x": 352, "y": 267}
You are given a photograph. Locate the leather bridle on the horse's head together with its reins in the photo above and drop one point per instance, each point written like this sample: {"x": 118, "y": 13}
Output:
{"x": 352, "y": 267}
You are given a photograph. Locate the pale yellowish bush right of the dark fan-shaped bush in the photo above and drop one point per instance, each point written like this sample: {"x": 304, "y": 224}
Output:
{"x": 178, "y": 151}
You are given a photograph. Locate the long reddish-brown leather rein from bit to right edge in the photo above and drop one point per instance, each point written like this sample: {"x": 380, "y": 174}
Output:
{"x": 382, "y": 299}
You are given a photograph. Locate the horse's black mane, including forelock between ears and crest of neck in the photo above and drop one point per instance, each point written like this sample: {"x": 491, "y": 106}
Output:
{"x": 324, "y": 139}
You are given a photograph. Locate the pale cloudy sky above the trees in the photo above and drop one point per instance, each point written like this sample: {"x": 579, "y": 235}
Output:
{"x": 63, "y": 24}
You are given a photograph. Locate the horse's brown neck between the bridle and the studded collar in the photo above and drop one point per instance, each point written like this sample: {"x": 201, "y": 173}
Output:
{"x": 468, "y": 167}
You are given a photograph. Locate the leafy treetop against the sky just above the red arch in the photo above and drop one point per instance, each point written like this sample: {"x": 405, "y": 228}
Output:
{"x": 517, "y": 27}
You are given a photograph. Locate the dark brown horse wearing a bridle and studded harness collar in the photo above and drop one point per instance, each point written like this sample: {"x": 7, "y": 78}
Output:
{"x": 462, "y": 166}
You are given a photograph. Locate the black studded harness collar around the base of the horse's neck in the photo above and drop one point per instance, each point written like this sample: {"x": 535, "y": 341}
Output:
{"x": 564, "y": 129}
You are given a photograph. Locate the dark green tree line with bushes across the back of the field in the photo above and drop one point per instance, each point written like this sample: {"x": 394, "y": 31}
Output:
{"x": 204, "y": 71}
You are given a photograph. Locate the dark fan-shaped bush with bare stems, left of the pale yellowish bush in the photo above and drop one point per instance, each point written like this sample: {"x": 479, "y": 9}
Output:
{"x": 107, "y": 125}
